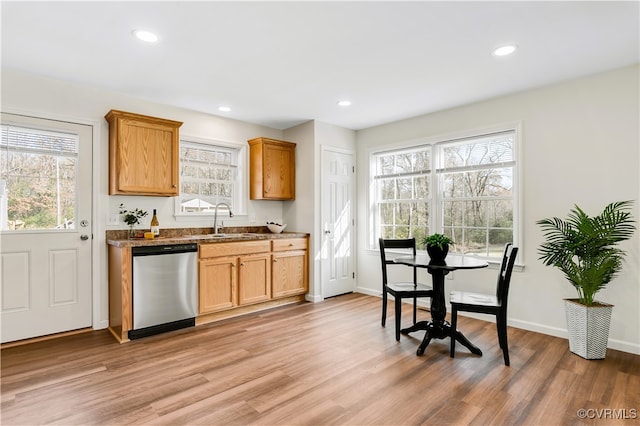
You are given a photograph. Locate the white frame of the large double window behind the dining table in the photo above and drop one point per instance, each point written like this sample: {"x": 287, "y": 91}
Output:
{"x": 436, "y": 215}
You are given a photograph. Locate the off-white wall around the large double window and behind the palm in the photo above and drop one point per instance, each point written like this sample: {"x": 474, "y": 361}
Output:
{"x": 580, "y": 145}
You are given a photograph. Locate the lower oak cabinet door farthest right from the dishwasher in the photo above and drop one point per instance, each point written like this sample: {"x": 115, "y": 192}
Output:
{"x": 289, "y": 273}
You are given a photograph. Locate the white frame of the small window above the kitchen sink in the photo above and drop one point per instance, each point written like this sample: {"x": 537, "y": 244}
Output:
{"x": 239, "y": 196}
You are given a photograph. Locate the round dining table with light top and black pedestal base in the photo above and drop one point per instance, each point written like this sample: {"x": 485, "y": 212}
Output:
{"x": 438, "y": 327}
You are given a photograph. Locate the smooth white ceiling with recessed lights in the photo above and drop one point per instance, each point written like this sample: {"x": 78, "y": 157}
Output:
{"x": 283, "y": 63}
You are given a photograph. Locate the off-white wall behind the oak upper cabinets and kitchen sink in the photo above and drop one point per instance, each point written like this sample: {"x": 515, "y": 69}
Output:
{"x": 46, "y": 98}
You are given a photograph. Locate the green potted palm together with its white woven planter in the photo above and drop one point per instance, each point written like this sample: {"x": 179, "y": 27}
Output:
{"x": 584, "y": 249}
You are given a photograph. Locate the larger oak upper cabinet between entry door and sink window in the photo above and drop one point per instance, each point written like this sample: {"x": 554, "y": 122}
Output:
{"x": 144, "y": 154}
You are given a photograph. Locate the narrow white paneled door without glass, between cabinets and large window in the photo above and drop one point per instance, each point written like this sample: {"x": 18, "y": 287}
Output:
{"x": 337, "y": 270}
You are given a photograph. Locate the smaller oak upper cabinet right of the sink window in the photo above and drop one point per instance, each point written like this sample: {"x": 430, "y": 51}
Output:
{"x": 272, "y": 169}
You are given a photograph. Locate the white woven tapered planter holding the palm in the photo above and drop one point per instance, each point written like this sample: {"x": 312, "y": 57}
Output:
{"x": 588, "y": 328}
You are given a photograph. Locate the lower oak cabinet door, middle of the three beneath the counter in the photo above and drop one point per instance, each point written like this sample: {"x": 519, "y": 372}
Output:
{"x": 254, "y": 283}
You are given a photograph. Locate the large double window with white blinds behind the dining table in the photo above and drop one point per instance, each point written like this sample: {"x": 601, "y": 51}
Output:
{"x": 464, "y": 188}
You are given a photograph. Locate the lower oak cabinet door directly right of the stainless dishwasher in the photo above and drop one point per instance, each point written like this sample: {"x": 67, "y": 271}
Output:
{"x": 217, "y": 284}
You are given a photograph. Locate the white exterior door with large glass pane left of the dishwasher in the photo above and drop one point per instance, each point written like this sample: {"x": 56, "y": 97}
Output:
{"x": 45, "y": 228}
